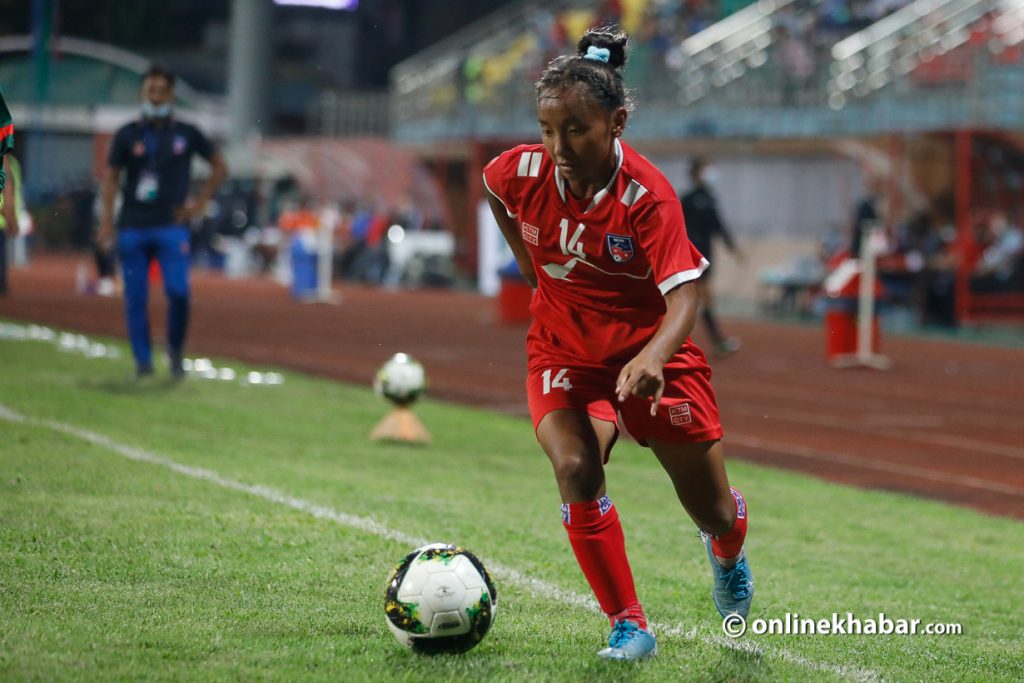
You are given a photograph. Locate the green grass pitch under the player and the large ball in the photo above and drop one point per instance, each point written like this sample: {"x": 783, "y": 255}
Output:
{"x": 115, "y": 569}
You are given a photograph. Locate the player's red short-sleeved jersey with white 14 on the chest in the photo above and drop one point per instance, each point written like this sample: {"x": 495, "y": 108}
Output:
{"x": 604, "y": 266}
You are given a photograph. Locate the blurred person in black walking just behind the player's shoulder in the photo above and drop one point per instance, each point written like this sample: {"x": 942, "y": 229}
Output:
{"x": 703, "y": 227}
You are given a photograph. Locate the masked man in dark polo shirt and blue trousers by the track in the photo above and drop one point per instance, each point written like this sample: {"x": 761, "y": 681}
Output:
{"x": 150, "y": 161}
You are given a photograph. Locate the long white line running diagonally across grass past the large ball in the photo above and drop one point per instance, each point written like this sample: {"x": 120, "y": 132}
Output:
{"x": 535, "y": 586}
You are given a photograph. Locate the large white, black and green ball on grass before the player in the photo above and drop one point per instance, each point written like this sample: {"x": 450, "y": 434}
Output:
{"x": 440, "y": 600}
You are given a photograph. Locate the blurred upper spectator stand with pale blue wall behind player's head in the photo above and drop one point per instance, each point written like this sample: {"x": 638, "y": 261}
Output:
{"x": 821, "y": 67}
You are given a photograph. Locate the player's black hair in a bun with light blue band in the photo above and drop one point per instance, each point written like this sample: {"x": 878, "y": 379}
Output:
{"x": 598, "y": 67}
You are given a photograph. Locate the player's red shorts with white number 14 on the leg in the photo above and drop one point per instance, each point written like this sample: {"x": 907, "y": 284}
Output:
{"x": 688, "y": 413}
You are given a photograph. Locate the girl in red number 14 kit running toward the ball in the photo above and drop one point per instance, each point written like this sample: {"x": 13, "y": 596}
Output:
{"x": 599, "y": 232}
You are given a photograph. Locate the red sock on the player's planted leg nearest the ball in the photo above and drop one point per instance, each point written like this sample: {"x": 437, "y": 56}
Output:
{"x": 598, "y": 540}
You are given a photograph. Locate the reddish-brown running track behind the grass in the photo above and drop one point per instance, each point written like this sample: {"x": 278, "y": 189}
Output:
{"x": 946, "y": 423}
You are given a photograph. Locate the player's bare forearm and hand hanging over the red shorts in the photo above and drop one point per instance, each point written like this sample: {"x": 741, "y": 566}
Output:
{"x": 643, "y": 376}
